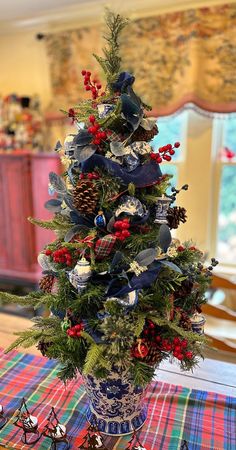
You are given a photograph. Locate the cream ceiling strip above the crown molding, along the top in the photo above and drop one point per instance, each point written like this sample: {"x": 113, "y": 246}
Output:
{"x": 16, "y": 15}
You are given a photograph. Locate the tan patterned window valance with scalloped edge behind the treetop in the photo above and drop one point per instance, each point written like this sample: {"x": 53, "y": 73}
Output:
{"x": 182, "y": 57}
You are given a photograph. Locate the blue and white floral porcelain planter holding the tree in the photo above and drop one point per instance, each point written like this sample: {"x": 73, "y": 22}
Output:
{"x": 116, "y": 405}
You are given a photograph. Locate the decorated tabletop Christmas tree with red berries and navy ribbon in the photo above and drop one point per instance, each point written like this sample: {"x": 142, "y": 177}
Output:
{"x": 123, "y": 294}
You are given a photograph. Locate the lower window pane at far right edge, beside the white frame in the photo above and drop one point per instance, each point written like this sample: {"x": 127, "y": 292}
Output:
{"x": 226, "y": 245}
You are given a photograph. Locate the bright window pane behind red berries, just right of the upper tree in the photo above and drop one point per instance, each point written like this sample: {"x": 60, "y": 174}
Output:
{"x": 171, "y": 130}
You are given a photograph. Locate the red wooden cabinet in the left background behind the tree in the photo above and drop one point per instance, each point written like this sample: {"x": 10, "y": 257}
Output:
{"x": 23, "y": 192}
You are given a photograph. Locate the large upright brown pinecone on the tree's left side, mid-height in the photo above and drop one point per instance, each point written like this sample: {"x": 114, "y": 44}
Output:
{"x": 85, "y": 197}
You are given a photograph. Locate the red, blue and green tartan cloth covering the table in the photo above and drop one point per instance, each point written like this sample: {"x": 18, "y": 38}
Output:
{"x": 205, "y": 420}
